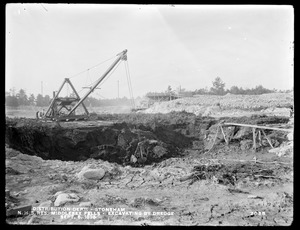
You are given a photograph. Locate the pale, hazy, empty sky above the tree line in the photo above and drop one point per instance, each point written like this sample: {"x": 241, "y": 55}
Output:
{"x": 184, "y": 46}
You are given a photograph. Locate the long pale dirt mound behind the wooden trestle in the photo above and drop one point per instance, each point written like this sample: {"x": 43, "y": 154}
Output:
{"x": 212, "y": 105}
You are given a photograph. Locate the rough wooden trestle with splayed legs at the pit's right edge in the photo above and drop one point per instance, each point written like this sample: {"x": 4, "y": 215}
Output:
{"x": 256, "y": 130}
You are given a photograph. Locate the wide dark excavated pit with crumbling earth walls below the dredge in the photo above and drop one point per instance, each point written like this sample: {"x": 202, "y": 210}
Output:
{"x": 136, "y": 139}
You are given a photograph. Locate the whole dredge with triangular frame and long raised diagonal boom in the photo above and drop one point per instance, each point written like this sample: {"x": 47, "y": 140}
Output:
{"x": 64, "y": 108}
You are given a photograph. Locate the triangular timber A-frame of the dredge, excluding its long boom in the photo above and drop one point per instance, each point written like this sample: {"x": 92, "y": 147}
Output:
{"x": 57, "y": 104}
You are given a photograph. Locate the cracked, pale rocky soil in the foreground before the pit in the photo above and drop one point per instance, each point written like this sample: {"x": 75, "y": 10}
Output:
{"x": 158, "y": 194}
